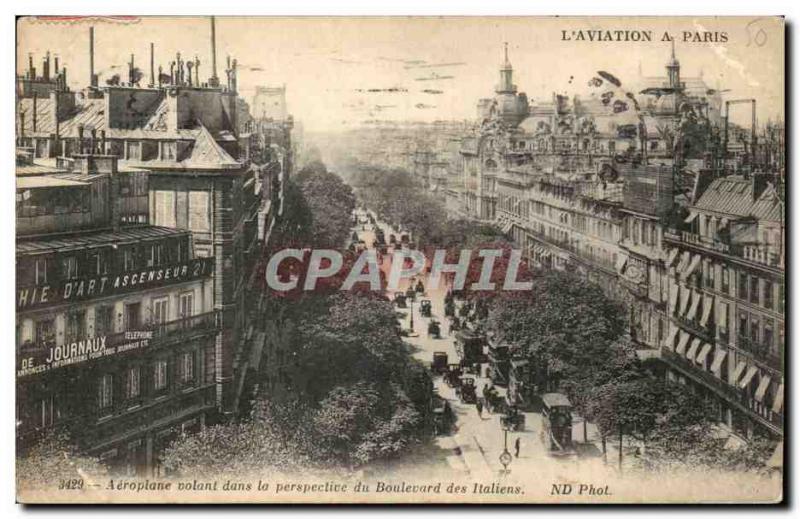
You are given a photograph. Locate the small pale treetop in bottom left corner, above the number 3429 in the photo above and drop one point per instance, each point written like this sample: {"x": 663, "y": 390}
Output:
{"x": 55, "y": 458}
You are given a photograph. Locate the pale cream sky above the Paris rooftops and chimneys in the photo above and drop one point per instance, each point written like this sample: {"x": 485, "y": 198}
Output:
{"x": 324, "y": 62}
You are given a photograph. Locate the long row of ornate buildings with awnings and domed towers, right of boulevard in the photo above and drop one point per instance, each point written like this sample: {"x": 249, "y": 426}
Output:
{"x": 689, "y": 237}
